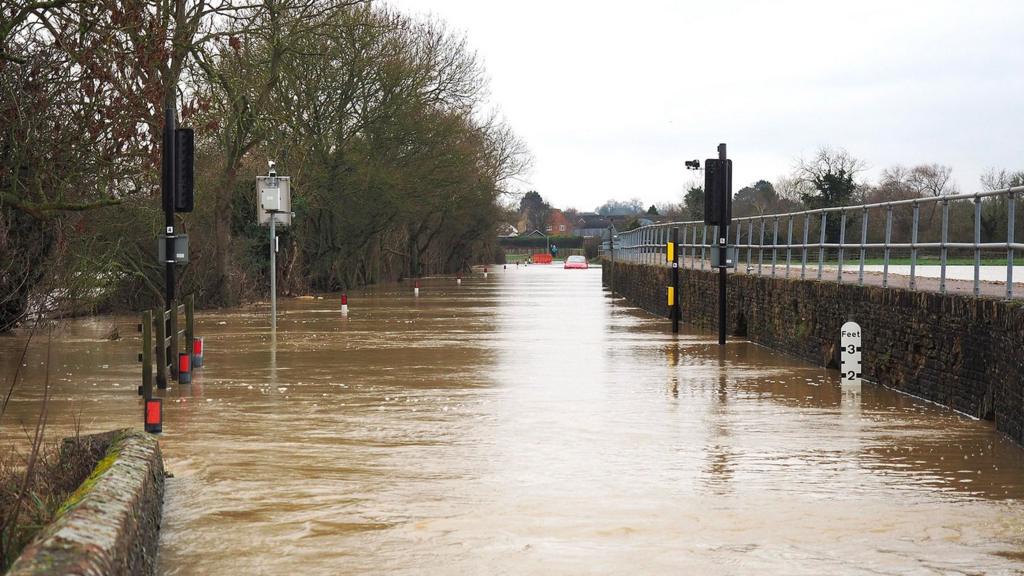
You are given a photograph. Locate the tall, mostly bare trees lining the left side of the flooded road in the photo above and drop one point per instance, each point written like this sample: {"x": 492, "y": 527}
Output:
{"x": 398, "y": 167}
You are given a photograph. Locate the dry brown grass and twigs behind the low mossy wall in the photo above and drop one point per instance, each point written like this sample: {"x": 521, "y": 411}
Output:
{"x": 59, "y": 471}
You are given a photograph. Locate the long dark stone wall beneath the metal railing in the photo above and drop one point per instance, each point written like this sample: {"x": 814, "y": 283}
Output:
{"x": 957, "y": 351}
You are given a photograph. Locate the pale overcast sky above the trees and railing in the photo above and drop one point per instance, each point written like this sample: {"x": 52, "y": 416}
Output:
{"x": 612, "y": 98}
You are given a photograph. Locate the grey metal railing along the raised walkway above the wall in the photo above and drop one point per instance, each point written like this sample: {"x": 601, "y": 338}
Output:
{"x": 764, "y": 234}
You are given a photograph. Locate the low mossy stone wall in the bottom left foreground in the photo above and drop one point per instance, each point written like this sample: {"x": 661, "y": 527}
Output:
{"x": 111, "y": 524}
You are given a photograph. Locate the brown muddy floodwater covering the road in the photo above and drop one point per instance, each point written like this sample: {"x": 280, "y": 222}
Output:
{"x": 531, "y": 424}
